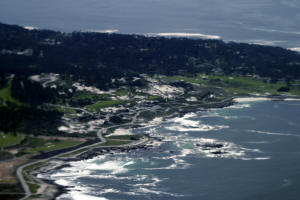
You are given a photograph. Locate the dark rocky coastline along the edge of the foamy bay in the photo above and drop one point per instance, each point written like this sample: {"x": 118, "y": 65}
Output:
{"x": 59, "y": 163}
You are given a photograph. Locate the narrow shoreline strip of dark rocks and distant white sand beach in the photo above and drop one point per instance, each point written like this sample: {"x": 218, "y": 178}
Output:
{"x": 101, "y": 150}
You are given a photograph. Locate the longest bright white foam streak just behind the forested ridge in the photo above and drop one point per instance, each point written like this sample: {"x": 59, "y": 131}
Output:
{"x": 184, "y": 34}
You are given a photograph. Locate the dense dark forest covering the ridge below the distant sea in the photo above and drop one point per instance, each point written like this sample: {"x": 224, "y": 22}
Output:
{"x": 97, "y": 58}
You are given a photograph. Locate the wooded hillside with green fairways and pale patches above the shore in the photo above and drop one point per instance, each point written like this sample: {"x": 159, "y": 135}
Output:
{"x": 97, "y": 71}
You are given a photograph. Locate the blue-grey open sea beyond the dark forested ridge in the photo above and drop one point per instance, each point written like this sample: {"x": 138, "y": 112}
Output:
{"x": 271, "y": 22}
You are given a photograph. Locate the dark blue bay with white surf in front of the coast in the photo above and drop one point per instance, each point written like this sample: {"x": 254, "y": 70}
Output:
{"x": 248, "y": 151}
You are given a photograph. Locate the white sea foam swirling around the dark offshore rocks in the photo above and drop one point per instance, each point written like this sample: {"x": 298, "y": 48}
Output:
{"x": 203, "y": 147}
